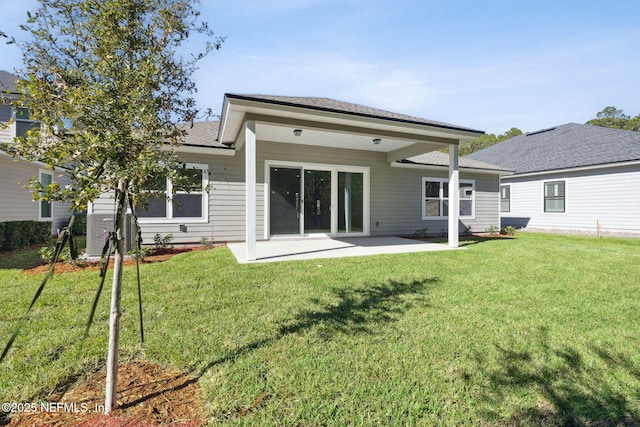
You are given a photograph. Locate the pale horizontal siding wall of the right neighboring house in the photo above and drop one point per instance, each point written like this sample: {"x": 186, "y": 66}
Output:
{"x": 608, "y": 196}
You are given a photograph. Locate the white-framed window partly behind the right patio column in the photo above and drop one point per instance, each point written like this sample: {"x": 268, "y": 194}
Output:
{"x": 435, "y": 198}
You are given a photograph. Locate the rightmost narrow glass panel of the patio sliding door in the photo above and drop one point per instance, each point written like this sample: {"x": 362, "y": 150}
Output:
{"x": 350, "y": 202}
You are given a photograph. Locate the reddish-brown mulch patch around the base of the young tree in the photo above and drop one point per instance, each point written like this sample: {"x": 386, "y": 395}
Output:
{"x": 147, "y": 396}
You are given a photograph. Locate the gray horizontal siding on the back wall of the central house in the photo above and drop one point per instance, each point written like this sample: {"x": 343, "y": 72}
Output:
{"x": 395, "y": 195}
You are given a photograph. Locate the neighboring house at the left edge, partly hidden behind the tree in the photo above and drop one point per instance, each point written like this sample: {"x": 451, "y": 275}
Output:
{"x": 17, "y": 202}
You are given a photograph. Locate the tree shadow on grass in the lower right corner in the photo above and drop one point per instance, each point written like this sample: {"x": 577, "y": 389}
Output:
{"x": 573, "y": 391}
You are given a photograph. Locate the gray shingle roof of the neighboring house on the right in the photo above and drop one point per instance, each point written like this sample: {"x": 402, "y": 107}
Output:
{"x": 566, "y": 146}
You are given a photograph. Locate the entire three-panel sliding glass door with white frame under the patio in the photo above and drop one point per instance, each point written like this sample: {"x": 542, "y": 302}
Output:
{"x": 301, "y": 198}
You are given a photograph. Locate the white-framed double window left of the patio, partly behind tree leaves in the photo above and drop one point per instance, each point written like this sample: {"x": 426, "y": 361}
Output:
{"x": 185, "y": 200}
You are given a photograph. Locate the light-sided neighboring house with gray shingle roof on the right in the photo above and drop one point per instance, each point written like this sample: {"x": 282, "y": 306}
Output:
{"x": 571, "y": 178}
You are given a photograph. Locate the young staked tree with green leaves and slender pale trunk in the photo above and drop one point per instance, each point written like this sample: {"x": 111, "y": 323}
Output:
{"x": 107, "y": 82}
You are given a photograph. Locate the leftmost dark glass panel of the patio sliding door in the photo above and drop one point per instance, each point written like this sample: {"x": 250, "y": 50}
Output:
{"x": 285, "y": 200}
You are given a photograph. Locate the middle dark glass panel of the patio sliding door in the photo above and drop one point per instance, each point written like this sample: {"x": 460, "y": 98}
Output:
{"x": 317, "y": 201}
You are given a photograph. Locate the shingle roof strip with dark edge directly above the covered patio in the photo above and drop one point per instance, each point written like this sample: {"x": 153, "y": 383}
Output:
{"x": 332, "y": 105}
